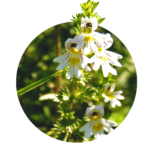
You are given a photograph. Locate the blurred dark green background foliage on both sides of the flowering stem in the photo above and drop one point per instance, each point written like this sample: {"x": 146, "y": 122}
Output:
{"x": 36, "y": 62}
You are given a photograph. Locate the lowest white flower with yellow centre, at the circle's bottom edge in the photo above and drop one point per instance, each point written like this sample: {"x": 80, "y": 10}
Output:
{"x": 97, "y": 125}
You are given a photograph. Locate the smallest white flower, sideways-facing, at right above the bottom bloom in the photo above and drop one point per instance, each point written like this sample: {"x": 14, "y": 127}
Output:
{"x": 111, "y": 96}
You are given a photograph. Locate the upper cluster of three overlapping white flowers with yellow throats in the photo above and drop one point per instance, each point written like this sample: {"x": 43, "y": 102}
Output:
{"x": 81, "y": 45}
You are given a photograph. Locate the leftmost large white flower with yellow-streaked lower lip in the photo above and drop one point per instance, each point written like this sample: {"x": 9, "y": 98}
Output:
{"x": 74, "y": 58}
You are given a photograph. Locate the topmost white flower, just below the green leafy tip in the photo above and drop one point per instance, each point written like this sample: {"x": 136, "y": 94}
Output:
{"x": 88, "y": 26}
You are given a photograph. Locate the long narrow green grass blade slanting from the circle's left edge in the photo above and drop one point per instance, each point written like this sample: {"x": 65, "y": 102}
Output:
{"x": 37, "y": 83}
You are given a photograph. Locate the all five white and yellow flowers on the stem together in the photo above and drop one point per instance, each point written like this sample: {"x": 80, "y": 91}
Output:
{"x": 90, "y": 41}
